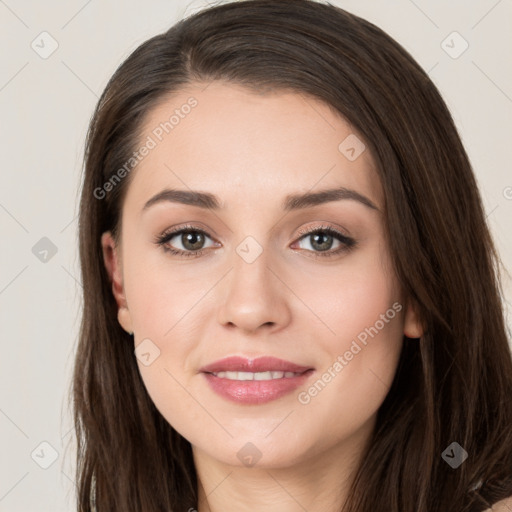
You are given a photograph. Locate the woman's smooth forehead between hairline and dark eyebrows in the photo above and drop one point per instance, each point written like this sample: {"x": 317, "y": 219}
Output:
{"x": 228, "y": 140}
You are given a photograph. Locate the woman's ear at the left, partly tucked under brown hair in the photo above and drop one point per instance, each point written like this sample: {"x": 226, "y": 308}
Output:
{"x": 112, "y": 260}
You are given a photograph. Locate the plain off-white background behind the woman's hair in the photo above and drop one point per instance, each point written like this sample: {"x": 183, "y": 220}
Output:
{"x": 45, "y": 107}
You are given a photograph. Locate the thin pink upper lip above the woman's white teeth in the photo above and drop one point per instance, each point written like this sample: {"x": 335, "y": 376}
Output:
{"x": 260, "y": 364}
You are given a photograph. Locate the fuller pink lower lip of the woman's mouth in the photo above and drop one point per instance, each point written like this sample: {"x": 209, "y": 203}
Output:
{"x": 255, "y": 391}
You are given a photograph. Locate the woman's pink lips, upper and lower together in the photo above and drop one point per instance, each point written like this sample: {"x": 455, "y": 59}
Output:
{"x": 253, "y": 392}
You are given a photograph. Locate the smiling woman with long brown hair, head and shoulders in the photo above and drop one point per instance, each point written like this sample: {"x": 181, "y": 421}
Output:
{"x": 291, "y": 296}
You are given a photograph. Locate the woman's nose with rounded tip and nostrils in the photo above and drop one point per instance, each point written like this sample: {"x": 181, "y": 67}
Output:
{"x": 254, "y": 296}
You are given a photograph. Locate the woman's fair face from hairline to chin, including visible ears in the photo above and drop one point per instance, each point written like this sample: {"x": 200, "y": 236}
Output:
{"x": 259, "y": 275}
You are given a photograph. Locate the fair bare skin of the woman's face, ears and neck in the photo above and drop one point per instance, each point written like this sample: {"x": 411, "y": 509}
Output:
{"x": 251, "y": 150}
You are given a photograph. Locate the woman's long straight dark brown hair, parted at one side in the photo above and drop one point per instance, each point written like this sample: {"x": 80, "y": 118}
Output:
{"x": 452, "y": 385}
